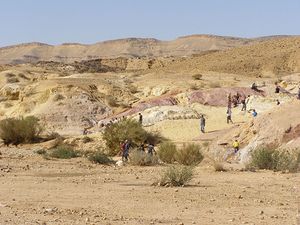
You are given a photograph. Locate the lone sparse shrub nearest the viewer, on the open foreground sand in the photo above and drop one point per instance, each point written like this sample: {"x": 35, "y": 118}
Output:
{"x": 176, "y": 176}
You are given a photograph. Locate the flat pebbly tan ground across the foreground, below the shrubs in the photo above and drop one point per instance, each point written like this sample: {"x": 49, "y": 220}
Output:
{"x": 38, "y": 191}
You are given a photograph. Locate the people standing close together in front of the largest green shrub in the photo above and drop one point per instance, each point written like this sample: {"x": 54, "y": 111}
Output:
{"x": 144, "y": 147}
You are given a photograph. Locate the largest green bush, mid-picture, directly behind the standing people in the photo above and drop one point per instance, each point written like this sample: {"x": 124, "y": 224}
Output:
{"x": 126, "y": 129}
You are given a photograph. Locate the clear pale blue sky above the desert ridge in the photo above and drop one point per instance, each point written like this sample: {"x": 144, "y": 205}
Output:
{"x": 90, "y": 21}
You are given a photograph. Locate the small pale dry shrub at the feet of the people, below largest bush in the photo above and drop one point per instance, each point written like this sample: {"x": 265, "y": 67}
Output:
{"x": 141, "y": 158}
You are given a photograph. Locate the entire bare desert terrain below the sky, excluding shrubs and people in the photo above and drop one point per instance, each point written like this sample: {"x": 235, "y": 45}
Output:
{"x": 121, "y": 78}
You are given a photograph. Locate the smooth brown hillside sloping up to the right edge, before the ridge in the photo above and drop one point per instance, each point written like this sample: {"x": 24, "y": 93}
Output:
{"x": 275, "y": 56}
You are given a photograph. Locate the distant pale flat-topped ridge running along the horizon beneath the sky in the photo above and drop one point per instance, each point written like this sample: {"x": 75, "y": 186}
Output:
{"x": 130, "y": 47}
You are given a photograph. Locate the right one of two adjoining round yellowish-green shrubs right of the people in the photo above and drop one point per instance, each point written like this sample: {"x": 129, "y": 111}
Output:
{"x": 189, "y": 155}
